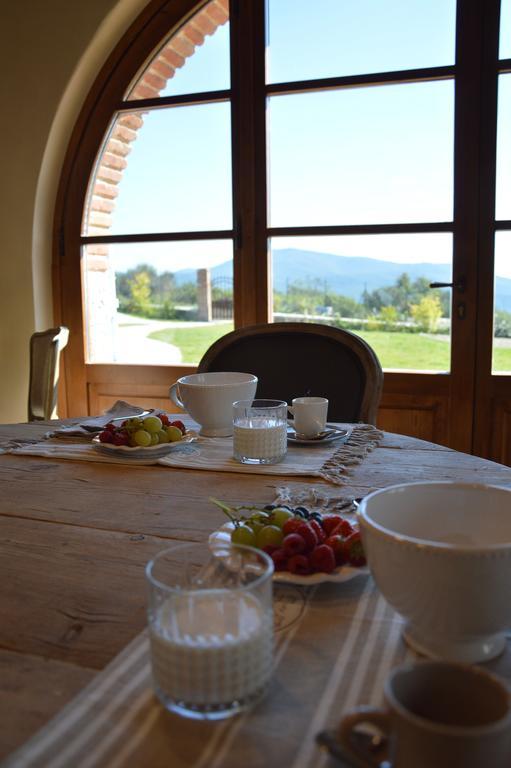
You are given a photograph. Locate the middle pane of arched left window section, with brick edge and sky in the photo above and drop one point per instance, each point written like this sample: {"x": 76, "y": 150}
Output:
{"x": 157, "y": 173}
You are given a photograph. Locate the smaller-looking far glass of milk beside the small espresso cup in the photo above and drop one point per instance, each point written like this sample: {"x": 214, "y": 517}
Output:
{"x": 260, "y": 431}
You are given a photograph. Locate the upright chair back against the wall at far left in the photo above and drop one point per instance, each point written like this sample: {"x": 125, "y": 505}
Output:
{"x": 45, "y": 349}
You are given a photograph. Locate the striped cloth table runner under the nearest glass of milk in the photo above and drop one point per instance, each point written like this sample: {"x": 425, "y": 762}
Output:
{"x": 334, "y": 646}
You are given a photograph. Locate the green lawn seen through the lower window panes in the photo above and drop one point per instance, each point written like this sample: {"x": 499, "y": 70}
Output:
{"x": 395, "y": 350}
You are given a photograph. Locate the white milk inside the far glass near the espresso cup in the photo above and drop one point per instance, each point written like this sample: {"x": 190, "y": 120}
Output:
{"x": 261, "y": 439}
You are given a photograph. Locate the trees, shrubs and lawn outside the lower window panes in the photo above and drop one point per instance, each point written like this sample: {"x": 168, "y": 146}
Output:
{"x": 406, "y": 323}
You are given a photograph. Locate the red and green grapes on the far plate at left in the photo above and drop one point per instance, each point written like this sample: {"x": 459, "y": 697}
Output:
{"x": 143, "y": 432}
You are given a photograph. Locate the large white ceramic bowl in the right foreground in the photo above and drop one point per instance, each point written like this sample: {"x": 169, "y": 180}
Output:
{"x": 440, "y": 553}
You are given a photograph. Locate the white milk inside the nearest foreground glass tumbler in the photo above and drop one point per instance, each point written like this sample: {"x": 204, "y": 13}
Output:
{"x": 211, "y": 648}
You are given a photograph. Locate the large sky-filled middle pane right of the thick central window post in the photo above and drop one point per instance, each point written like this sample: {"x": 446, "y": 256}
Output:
{"x": 363, "y": 155}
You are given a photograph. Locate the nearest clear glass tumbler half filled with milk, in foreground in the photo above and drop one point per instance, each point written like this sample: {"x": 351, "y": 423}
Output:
{"x": 210, "y": 617}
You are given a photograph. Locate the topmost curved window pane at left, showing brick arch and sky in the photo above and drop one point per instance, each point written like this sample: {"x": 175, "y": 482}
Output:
{"x": 193, "y": 60}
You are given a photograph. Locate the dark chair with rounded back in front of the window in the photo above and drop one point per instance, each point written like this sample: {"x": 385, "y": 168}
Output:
{"x": 297, "y": 359}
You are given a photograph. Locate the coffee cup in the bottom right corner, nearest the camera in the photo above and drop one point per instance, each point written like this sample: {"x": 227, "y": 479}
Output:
{"x": 439, "y": 714}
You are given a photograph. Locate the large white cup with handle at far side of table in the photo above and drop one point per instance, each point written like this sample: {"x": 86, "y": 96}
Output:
{"x": 208, "y": 398}
